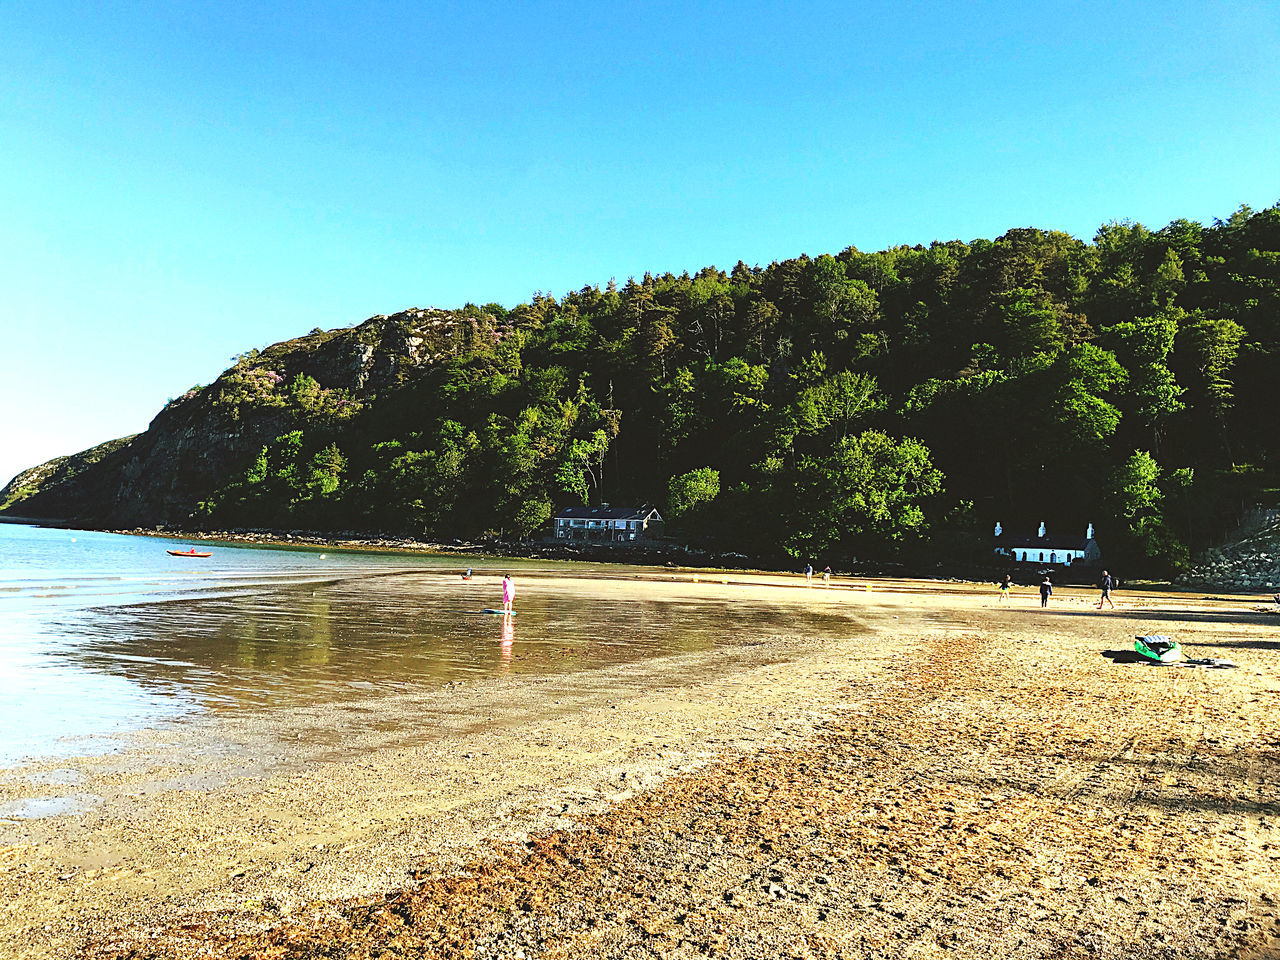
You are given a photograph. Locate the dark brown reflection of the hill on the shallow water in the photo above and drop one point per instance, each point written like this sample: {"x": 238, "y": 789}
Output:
{"x": 336, "y": 641}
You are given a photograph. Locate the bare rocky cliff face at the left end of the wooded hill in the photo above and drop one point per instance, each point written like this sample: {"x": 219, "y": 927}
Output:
{"x": 207, "y": 436}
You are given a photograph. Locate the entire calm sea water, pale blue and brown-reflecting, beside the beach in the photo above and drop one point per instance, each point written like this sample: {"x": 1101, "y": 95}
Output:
{"x": 106, "y": 634}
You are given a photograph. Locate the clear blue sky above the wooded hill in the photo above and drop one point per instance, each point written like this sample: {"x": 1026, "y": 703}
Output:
{"x": 182, "y": 182}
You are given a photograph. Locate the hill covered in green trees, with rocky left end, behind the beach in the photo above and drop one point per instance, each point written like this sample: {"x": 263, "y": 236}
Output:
{"x": 848, "y": 405}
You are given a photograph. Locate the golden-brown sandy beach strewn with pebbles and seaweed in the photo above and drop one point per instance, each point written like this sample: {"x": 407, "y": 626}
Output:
{"x": 954, "y": 778}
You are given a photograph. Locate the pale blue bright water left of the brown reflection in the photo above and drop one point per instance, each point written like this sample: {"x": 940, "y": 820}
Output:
{"x": 80, "y": 664}
